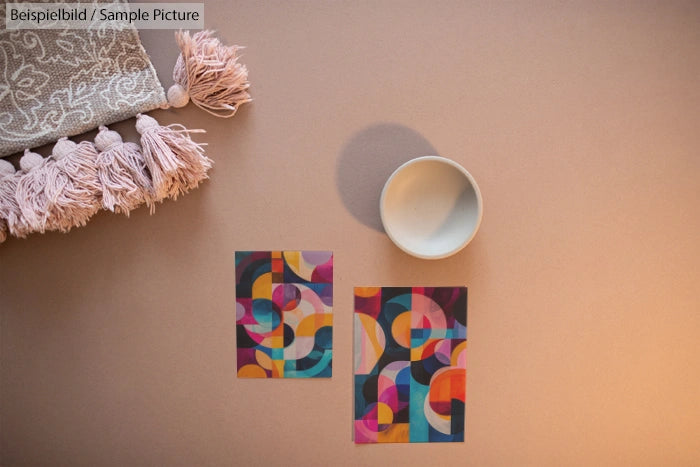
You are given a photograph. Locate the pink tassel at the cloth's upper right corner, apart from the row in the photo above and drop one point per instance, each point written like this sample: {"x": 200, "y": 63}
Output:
{"x": 208, "y": 73}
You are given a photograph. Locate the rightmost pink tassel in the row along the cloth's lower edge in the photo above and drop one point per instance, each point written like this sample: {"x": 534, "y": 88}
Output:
{"x": 176, "y": 163}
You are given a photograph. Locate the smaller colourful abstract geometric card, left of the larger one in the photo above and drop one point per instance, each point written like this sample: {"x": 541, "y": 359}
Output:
{"x": 284, "y": 320}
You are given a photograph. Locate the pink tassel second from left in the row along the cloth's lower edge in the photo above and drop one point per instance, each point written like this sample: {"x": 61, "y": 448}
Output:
{"x": 34, "y": 192}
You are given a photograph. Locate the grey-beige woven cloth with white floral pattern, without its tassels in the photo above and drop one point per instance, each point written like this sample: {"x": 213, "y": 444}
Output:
{"x": 57, "y": 83}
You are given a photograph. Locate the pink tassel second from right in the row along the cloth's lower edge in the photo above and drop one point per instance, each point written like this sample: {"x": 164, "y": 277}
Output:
{"x": 121, "y": 169}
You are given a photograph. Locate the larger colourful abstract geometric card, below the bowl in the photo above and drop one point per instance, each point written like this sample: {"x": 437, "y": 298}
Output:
{"x": 410, "y": 364}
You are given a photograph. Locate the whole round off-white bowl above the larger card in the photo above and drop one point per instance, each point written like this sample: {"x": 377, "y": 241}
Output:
{"x": 431, "y": 207}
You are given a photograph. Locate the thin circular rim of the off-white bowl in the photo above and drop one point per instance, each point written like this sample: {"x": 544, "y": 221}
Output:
{"x": 470, "y": 179}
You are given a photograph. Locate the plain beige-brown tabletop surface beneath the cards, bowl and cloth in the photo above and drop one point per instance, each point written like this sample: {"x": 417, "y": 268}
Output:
{"x": 578, "y": 119}
